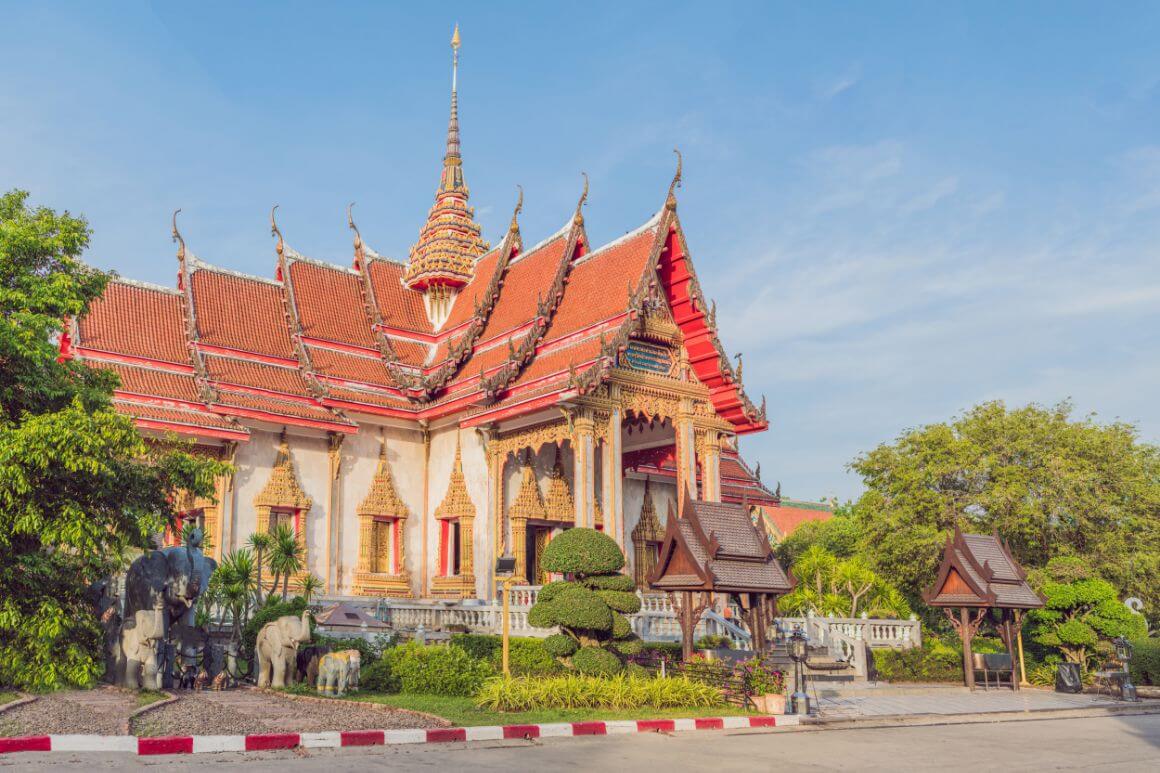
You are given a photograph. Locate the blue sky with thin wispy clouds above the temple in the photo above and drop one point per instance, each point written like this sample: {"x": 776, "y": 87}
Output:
{"x": 902, "y": 209}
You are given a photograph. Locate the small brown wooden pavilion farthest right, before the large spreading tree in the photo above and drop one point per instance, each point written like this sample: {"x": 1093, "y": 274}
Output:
{"x": 980, "y": 576}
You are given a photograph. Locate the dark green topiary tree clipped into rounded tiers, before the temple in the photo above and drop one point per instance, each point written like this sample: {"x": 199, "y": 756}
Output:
{"x": 589, "y": 606}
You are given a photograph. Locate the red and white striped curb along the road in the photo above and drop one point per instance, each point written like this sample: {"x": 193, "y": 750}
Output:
{"x": 264, "y": 742}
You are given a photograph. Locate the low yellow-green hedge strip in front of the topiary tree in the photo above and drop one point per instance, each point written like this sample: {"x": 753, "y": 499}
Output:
{"x": 577, "y": 691}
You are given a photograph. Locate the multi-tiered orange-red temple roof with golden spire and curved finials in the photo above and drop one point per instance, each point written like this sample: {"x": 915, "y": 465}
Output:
{"x": 520, "y": 329}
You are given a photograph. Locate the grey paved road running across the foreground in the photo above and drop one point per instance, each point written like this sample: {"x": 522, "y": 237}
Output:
{"x": 1128, "y": 743}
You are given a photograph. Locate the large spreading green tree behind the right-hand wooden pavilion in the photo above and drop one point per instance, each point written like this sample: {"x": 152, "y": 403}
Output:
{"x": 1052, "y": 485}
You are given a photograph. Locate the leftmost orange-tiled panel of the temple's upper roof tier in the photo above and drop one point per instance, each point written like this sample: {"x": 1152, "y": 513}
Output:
{"x": 136, "y": 321}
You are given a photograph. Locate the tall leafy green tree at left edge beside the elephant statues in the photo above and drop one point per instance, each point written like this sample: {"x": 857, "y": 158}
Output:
{"x": 78, "y": 483}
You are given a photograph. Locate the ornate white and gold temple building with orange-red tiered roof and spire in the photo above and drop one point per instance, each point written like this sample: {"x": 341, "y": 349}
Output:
{"x": 412, "y": 421}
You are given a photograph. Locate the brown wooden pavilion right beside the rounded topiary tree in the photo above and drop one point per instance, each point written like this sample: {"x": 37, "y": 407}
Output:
{"x": 714, "y": 547}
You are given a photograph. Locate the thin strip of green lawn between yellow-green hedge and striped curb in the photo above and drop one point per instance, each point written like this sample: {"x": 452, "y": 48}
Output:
{"x": 462, "y": 712}
